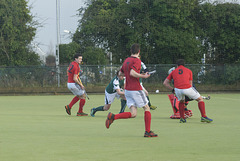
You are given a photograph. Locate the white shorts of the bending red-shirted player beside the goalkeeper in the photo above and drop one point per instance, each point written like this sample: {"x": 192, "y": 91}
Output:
{"x": 190, "y": 92}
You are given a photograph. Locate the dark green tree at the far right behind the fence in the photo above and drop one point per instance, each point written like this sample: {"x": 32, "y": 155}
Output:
{"x": 218, "y": 29}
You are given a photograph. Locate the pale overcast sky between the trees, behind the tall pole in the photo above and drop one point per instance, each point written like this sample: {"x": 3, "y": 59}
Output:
{"x": 45, "y": 13}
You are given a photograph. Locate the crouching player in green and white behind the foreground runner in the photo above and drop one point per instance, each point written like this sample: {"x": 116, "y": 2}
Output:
{"x": 112, "y": 91}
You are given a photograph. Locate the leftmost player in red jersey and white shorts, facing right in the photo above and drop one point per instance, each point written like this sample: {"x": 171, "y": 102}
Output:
{"x": 75, "y": 86}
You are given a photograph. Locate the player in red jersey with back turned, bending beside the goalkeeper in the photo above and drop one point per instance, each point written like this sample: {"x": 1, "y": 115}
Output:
{"x": 182, "y": 78}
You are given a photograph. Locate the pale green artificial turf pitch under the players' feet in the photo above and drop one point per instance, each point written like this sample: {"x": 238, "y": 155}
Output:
{"x": 37, "y": 128}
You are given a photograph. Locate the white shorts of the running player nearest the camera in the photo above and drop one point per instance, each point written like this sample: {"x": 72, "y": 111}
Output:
{"x": 136, "y": 98}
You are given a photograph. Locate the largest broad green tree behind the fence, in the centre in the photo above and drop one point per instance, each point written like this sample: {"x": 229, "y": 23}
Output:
{"x": 164, "y": 29}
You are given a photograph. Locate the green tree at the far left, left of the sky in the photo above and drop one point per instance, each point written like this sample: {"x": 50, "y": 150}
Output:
{"x": 16, "y": 33}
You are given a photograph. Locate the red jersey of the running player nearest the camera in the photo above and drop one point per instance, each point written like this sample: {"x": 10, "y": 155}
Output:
{"x": 132, "y": 83}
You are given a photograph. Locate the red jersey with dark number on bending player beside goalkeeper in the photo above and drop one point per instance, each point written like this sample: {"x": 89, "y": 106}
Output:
{"x": 181, "y": 77}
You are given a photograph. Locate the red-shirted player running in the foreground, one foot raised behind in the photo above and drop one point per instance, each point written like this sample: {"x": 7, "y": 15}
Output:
{"x": 134, "y": 93}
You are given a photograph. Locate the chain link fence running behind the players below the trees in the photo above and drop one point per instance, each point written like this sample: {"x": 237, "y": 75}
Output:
{"x": 100, "y": 75}
